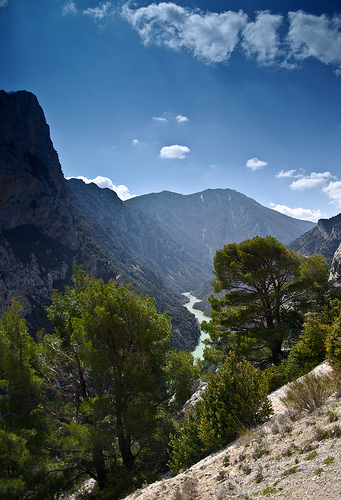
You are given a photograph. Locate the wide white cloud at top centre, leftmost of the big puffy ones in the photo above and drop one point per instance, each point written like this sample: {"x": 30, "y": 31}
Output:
{"x": 209, "y": 36}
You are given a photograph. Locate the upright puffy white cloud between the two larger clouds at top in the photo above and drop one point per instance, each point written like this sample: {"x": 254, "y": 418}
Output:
{"x": 260, "y": 38}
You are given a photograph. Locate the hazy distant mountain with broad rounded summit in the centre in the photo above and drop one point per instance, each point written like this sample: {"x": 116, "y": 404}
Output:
{"x": 204, "y": 222}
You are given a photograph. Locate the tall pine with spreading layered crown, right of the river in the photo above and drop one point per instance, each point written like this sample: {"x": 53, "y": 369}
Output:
{"x": 259, "y": 277}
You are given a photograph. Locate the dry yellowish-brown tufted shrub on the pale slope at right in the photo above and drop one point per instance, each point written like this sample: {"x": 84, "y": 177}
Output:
{"x": 308, "y": 393}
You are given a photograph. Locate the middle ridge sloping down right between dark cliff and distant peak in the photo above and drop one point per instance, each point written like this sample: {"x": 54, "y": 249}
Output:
{"x": 141, "y": 235}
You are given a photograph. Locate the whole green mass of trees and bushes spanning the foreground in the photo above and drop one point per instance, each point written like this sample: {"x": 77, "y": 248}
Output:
{"x": 100, "y": 396}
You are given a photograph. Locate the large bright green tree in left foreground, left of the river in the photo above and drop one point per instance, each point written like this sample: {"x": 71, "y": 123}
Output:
{"x": 101, "y": 381}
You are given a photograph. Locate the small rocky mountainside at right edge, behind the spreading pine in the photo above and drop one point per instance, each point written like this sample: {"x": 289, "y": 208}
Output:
{"x": 324, "y": 239}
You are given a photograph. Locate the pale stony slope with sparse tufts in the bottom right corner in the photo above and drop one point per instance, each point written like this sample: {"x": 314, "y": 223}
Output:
{"x": 292, "y": 457}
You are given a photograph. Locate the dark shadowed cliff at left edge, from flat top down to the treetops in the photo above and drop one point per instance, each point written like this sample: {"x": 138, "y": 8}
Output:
{"x": 39, "y": 240}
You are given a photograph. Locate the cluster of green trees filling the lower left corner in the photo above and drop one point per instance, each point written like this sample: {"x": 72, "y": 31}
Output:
{"x": 90, "y": 400}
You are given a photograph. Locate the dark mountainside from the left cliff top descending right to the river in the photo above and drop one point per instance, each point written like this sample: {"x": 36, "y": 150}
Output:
{"x": 45, "y": 229}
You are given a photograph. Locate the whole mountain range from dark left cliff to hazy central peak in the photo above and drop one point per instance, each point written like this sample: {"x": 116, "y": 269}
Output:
{"x": 161, "y": 243}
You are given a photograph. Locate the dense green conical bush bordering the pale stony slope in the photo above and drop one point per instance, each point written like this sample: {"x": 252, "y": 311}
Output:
{"x": 235, "y": 398}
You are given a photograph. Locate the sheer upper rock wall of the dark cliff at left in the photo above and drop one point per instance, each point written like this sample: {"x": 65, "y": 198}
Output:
{"x": 32, "y": 186}
